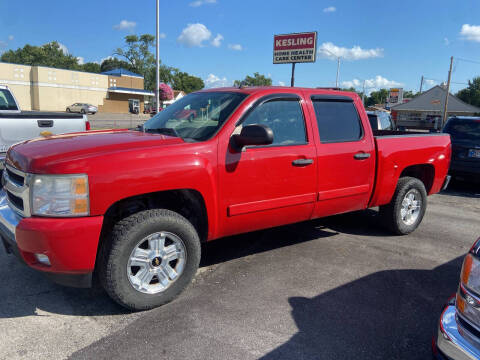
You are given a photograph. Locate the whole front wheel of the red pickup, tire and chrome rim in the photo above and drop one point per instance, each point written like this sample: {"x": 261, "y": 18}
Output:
{"x": 151, "y": 257}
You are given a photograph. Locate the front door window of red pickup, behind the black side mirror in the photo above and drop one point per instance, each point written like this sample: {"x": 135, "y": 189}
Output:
{"x": 284, "y": 117}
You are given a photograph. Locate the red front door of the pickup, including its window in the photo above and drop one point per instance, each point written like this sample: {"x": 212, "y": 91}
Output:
{"x": 266, "y": 186}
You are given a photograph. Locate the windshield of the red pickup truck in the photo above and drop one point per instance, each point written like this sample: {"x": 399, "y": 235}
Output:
{"x": 196, "y": 116}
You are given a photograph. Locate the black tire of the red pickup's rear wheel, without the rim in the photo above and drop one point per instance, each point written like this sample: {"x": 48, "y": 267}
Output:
{"x": 390, "y": 214}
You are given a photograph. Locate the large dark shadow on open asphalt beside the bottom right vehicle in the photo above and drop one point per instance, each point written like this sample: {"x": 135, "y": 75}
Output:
{"x": 390, "y": 314}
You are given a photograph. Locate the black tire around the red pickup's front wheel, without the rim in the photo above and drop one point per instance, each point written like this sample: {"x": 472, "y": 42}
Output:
{"x": 125, "y": 236}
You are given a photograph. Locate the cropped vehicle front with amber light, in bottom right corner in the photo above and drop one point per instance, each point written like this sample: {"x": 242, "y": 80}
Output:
{"x": 458, "y": 336}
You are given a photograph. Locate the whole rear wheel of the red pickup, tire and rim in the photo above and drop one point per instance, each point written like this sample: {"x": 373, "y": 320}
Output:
{"x": 407, "y": 208}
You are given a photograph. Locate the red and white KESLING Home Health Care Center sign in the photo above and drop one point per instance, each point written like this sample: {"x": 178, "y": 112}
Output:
{"x": 295, "y": 48}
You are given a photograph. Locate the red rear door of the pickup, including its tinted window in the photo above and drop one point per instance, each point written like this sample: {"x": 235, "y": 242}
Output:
{"x": 346, "y": 155}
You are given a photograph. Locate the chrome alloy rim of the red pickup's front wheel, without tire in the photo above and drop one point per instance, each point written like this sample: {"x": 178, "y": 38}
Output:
{"x": 156, "y": 262}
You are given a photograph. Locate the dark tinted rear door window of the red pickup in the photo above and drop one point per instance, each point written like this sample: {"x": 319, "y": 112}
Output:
{"x": 338, "y": 121}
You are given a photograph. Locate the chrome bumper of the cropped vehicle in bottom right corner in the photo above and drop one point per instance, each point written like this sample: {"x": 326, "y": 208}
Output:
{"x": 451, "y": 342}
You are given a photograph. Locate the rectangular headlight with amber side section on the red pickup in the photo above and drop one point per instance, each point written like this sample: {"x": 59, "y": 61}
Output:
{"x": 60, "y": 195}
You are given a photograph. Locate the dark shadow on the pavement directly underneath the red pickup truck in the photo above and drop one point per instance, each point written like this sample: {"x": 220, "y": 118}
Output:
{"x": 24, "y": 292}
